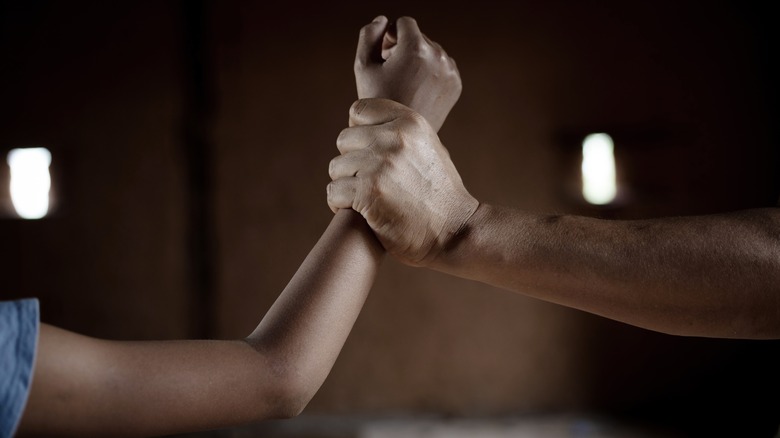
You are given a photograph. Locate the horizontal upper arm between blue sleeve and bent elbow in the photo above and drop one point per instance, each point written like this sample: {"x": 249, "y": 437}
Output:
{"x": 84, "y": 386}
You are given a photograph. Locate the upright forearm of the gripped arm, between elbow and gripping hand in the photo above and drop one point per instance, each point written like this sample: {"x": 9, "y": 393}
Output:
{"x": 305, "y": 329}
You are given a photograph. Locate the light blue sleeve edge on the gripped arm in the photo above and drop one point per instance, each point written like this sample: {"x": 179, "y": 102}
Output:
{"x": 19, "y": 323}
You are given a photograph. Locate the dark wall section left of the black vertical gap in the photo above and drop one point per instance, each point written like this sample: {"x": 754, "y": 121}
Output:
{"x": 99, "y": 85}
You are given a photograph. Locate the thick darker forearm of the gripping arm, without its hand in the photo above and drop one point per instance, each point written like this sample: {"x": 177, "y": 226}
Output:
{"x": 715, "y": 276}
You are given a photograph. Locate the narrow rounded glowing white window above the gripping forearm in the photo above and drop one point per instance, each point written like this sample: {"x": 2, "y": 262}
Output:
{"x": 599, "y": 184}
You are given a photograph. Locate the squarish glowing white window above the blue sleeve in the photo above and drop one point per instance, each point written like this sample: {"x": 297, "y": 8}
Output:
{"x": 30, "y": 181}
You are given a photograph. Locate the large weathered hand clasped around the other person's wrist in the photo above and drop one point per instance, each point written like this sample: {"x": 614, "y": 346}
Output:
{"x": 396, "y": 173}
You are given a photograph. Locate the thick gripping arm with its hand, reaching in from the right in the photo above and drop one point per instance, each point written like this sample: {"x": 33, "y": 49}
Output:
{"x": 709, "y": 276}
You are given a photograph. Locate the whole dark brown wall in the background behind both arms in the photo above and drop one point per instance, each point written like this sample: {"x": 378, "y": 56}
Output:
{"x": 190, "y": 144}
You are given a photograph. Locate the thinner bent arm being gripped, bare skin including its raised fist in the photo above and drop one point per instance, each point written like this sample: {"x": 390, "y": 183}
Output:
{"x": 84, "y": 386}
